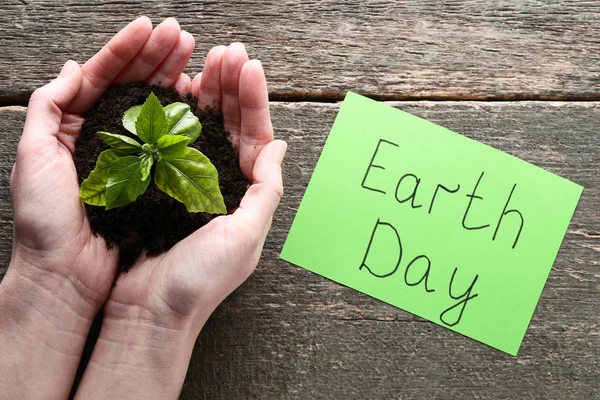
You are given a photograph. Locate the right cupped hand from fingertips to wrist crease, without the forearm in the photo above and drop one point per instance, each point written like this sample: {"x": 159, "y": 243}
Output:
{"x": 193, "y": 277}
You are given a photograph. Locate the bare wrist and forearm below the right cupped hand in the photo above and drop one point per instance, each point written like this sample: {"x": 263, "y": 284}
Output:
{"x": 138, "y": 354}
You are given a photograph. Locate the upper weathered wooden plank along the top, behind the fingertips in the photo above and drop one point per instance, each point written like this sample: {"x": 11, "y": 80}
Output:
{"x": 392, "y": 50}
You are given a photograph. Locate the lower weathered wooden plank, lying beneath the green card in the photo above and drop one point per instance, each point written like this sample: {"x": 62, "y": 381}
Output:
{"x": 288, "y": 333}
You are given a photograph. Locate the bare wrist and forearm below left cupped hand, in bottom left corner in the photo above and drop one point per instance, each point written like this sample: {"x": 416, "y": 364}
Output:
{"x": 41, "y": 332}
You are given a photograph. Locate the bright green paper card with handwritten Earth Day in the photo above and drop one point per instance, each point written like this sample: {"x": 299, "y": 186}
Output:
{"x": 433, "y": 222}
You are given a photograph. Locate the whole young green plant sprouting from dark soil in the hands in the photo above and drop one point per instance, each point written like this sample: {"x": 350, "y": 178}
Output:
{"x": 123, "y": 173}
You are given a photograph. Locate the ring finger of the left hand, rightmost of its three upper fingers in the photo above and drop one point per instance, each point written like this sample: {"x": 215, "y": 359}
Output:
{"x": 168, "y": 72}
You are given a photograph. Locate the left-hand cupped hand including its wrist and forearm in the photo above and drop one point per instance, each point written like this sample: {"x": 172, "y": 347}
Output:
{"x": 60, "y": 273}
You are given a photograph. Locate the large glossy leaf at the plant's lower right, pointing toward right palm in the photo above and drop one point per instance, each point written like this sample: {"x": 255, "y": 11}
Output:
{"x": 191, "y": 179}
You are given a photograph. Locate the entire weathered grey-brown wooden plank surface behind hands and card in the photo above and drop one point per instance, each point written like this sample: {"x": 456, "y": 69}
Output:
{"x": 290, "y": 334}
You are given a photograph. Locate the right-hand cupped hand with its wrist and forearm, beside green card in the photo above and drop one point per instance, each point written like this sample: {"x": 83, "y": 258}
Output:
{"x": 156, "y": 310}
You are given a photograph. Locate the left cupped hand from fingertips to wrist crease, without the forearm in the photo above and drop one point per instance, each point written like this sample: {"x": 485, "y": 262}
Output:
{"x": 53, "y": 242}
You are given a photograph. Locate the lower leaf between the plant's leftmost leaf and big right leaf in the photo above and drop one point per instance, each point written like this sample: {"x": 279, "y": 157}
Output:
{"x": 125, "y": 182}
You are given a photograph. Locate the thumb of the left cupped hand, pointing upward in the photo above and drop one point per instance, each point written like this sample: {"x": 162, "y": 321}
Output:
{"x": 44, "y": 113}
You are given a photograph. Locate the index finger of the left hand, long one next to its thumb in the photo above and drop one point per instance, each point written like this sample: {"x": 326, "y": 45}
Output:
{"x": 100, "y": 71}
